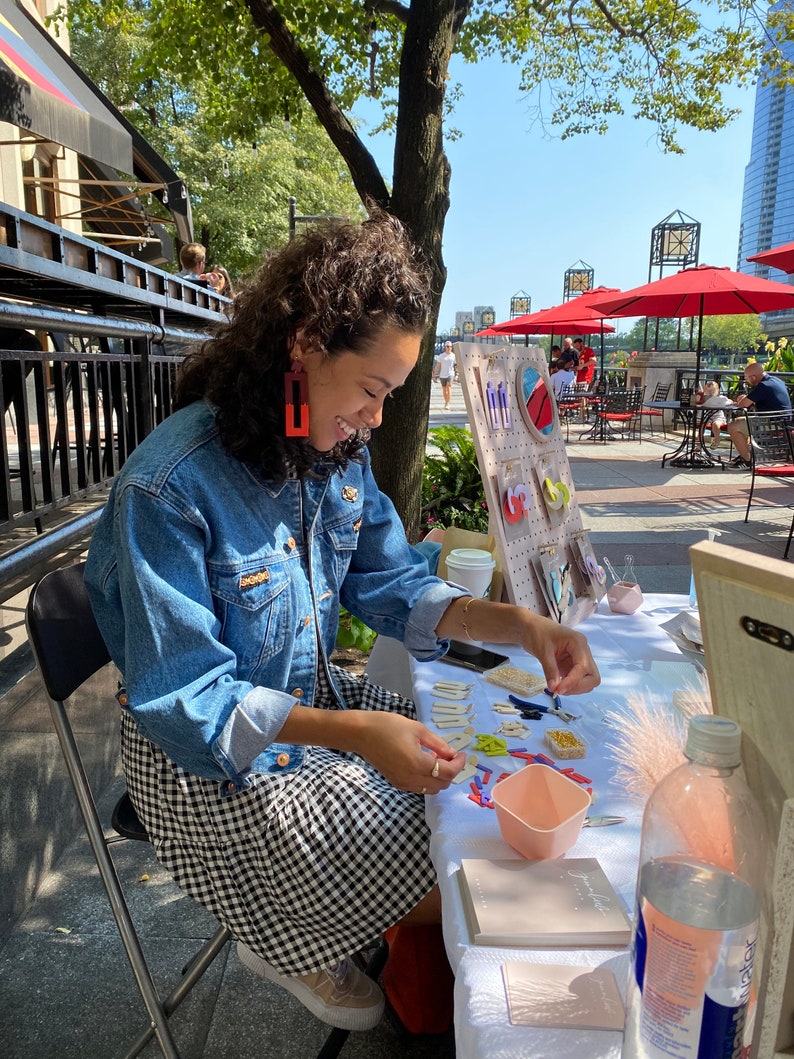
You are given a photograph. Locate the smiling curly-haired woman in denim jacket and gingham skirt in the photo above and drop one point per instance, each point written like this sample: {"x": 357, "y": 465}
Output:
{"x": 279, "y": 792}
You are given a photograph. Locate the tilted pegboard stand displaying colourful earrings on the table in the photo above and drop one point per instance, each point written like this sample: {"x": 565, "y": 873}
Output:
{"x": 515, "y": 462}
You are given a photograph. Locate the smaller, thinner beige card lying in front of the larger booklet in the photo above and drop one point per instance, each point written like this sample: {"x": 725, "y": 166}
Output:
{"x": 562, "y": 996}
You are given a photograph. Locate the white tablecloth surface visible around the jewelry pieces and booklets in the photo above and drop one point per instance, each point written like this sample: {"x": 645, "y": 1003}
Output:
{"x": 635, "y": 657}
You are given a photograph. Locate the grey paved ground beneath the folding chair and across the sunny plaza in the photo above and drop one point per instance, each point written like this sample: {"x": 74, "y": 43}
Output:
{"x": 66, "y": 990}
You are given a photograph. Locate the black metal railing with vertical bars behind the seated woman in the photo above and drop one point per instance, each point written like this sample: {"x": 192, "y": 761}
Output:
{"x": 91, "y": 342}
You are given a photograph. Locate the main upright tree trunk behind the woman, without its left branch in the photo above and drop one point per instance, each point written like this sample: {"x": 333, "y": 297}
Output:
{"x": 421, "y": 200}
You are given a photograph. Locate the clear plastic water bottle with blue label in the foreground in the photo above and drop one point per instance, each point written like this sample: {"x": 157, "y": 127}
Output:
{"x": 699, "y": 899}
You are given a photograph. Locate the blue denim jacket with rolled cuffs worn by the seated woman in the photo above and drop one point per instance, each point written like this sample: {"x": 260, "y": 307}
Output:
{"x": 214, "y": 588}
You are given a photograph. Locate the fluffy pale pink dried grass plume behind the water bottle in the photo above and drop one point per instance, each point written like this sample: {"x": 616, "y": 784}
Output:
{"x": 651, "y": 738}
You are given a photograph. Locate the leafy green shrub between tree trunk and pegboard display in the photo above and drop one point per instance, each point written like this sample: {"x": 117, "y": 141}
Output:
{"x": 453, "y": 492}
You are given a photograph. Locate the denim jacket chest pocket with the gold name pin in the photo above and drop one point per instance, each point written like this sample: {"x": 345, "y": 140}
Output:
{"x": 255, "y": 606}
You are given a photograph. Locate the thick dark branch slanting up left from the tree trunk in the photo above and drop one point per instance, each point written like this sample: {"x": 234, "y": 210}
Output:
{"x": 366, "y": 174}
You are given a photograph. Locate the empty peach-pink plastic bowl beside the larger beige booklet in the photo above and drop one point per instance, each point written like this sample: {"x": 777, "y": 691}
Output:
{"x": 540, "y": 812}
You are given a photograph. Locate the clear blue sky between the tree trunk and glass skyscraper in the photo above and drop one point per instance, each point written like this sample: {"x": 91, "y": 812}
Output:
{"x": 526, "y": 208}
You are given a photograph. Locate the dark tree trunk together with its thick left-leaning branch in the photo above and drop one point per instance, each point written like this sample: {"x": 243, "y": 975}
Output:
{"x": 420, "y": 199}
